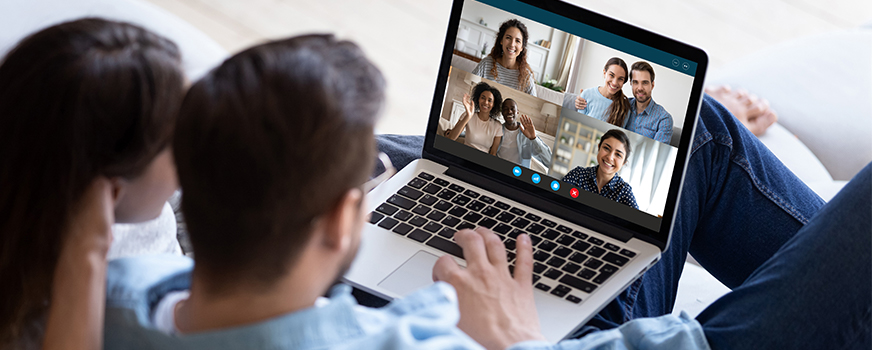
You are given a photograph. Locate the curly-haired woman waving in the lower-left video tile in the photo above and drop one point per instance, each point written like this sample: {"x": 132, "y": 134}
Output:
{"x": 484, "y": 132}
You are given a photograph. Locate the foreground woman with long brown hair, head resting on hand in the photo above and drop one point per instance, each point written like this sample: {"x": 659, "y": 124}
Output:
{"x": 87, "y": 110}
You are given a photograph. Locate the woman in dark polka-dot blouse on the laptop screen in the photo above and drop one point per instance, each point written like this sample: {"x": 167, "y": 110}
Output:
{"x": 613, "y": 152}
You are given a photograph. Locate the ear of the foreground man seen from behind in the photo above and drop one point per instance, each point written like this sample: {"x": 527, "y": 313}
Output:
{"x": 343, "y": 222}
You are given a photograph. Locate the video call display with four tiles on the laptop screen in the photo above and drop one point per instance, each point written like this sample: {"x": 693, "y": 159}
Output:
{"x": 594, "y": 119}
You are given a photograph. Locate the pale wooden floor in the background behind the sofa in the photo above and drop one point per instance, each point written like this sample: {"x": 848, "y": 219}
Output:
{"x": 404, "y": 37}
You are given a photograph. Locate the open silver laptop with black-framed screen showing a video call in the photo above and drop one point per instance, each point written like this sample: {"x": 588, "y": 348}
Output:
{"x": 590, "y": 242}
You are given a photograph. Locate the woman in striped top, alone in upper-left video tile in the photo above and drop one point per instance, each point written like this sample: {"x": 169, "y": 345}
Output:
{"x": 507, "y": 61}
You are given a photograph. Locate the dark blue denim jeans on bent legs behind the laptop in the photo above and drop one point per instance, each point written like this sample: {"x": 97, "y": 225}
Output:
{"x": 799, "y": 269}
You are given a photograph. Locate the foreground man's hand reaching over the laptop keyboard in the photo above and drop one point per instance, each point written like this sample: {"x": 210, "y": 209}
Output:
{"x": 496, "y": 309}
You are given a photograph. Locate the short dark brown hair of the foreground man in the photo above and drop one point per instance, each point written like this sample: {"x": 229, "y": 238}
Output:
{"x": 267, "y": 143}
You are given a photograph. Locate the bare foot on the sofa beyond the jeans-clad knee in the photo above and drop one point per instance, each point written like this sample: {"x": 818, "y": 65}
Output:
{"x": 754, "y": 112}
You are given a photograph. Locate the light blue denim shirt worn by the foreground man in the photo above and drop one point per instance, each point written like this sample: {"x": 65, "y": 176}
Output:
{"x": 424, "y": 320}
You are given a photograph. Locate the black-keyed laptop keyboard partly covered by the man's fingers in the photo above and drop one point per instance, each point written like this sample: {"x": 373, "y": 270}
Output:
{"x": 430, "y": 210}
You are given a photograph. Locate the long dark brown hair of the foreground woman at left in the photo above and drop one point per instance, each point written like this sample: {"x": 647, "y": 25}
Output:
{"x": 78, "y": 100}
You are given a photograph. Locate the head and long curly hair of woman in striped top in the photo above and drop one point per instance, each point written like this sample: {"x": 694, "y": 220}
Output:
{"x": 511, "y": 43}
